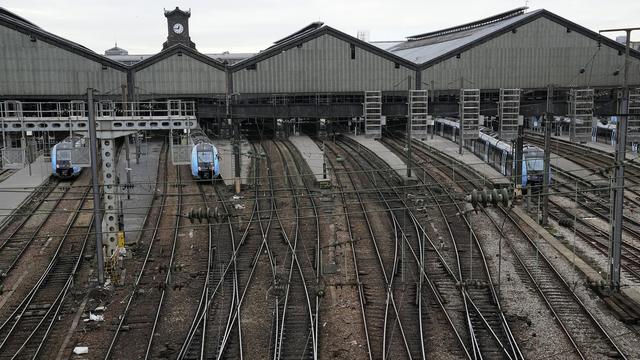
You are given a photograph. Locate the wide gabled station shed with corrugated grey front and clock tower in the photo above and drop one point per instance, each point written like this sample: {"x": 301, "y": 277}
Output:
{"x": 319, "y": 72}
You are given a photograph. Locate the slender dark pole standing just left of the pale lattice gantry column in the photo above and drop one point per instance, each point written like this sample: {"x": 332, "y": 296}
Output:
{"x": 97, "y": 210}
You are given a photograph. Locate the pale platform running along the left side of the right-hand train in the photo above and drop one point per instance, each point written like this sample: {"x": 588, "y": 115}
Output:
{"x": 450, "y": 149}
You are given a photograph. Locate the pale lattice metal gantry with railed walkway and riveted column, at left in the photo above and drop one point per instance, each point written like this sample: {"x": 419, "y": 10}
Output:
{"x": 112, "y": 120}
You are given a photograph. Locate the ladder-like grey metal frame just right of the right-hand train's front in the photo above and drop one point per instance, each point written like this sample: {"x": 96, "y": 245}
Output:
{"x": 581, "y": 113}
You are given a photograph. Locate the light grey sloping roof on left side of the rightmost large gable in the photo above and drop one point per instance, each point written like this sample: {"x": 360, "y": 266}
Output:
{"x": 421, "y": 51}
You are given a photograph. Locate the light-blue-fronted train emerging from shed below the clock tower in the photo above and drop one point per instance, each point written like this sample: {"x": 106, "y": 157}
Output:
{"x": 205, "y": 159}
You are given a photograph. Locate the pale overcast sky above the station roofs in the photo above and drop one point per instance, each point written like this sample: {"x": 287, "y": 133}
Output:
{"x": 251, "y": 25}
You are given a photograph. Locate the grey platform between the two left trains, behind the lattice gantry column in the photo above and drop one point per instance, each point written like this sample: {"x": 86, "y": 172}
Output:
{"x": 137, "y": 200}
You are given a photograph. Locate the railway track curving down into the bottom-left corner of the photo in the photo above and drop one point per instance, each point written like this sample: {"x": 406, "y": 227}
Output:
{"x": 24, "y": 332}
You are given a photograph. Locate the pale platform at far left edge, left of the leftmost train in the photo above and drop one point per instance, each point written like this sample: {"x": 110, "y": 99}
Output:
{"x": 16, "y": 188}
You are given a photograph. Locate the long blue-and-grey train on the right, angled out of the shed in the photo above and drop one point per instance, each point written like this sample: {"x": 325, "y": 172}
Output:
{"x": 498, "y": 153}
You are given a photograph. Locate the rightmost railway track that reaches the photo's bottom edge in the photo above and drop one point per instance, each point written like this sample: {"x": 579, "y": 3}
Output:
{"x": 569, "y": 311}
